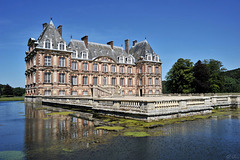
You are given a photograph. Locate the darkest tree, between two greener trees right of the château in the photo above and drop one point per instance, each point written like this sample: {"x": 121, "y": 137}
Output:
{"x": 201, "y": 78}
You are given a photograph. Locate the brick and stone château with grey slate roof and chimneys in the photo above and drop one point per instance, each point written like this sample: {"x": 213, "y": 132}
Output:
{"x": 84, "y": 68}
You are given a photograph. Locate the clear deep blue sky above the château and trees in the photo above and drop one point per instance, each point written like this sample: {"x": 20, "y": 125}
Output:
{"x": 189, "y": 29}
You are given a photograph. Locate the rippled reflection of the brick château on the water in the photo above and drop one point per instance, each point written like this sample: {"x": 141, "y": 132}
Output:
{"x": 43, "y": 130}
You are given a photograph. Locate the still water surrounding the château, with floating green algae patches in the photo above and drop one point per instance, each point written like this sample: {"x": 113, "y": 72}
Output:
{"x": 29, "y": 131}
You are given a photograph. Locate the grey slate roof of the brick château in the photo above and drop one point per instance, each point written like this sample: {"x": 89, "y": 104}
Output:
{"x": 141, "y": 49}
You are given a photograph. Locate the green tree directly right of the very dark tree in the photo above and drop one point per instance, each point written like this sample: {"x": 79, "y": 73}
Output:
{"x": 216, "y": 79}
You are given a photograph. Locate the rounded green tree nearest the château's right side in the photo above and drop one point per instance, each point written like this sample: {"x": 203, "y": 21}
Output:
{"x": 180, "y": 77}
